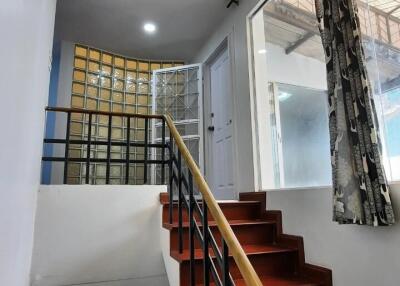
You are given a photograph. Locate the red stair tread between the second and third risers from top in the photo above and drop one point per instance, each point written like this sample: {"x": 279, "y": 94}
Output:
{"x": 249, "y": 249}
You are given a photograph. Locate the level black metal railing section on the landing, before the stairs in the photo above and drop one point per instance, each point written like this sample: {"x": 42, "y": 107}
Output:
{"x": 109, "y": 143}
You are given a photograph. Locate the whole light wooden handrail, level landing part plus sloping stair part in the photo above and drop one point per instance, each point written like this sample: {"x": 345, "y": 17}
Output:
{"x": 242, "y": 261}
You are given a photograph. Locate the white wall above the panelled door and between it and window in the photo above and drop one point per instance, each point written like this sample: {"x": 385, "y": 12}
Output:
{"x": 235, "y": 23}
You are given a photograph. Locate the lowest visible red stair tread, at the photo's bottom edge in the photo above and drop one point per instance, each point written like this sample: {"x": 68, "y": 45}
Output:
{"x": 279, "y": 281}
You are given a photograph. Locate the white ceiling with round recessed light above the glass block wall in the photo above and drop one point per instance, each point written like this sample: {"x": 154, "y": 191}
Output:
{"x": 117, "y": 25}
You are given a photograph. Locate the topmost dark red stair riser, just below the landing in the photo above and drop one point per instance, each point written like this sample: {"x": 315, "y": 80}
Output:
{"x": 231, "y": 212}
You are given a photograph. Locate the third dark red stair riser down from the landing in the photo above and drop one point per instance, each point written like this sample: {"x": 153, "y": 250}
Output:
{"x": 265, "y": 264}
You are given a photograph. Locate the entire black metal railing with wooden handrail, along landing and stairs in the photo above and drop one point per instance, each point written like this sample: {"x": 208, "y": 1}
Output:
{"x": 187, "y": 189}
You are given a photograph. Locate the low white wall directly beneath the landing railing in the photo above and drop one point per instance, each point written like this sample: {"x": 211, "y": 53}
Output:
{"x": 92, "y": 234}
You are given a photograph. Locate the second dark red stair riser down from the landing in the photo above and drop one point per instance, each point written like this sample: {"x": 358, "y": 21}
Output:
{"x": 244, "y": 233}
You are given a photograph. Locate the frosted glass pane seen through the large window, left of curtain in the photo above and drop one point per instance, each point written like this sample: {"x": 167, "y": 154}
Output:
{"x": 302, "y": 139}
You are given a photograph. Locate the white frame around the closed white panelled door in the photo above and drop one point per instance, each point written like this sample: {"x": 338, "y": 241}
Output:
{"x": 226, "y": 44}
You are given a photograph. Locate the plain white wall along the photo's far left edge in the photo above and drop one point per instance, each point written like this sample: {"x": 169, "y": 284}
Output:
{"x": 26, "y": 29}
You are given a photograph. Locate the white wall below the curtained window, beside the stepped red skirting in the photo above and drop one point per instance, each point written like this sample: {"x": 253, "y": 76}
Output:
{"x": 357, "y": 255}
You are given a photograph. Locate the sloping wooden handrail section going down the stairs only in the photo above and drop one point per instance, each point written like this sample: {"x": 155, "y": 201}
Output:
{"x": 242, "y": 261}
